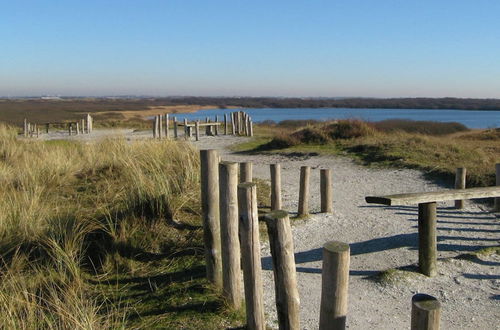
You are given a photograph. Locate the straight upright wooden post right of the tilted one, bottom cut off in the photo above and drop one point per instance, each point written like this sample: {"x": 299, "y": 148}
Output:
{"x": 334, "y": 286}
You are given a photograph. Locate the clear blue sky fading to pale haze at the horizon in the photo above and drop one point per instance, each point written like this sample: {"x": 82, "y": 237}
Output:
{"x": 335, "y": 48}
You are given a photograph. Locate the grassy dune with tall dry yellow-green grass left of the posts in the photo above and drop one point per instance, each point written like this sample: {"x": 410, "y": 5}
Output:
{"x": 103, "y": 235}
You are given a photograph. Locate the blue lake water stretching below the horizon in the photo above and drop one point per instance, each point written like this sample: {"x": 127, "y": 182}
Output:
{"x": 471, "y": 119}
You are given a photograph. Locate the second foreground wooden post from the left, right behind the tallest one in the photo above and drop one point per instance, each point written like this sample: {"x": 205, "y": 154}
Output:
{"x": 230, "y": 245}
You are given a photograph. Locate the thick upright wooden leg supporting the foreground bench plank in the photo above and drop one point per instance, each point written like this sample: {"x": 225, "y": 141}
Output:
{"x": 427, "y": 239}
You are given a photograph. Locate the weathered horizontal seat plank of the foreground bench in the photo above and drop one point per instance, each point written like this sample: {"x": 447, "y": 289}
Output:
{"x": 435, "y": 196}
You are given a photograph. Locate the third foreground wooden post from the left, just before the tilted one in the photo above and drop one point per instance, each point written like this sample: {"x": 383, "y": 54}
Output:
{"x": 250, "y": 255}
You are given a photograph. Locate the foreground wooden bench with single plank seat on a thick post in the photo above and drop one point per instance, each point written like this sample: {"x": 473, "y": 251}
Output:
{"x": 427, "y": 238}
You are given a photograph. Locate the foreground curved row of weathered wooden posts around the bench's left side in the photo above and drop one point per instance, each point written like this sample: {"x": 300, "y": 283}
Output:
{"x": 232, "y": 244}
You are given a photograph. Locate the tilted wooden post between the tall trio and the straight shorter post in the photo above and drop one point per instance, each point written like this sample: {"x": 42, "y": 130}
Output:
{"x": 285, "y": 277}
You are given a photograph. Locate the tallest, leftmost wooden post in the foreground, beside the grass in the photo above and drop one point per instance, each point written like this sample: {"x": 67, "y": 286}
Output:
{"x": 209, "y": 166}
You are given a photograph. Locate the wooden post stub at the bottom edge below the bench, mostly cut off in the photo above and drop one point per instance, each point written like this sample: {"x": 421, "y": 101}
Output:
{"x": 425, "y": 312}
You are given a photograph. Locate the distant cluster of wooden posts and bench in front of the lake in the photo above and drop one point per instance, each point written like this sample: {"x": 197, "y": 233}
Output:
{"x": 241, "y": 124}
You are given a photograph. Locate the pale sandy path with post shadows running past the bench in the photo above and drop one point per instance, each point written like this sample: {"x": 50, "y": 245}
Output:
{"x": 380, "y": 238}
